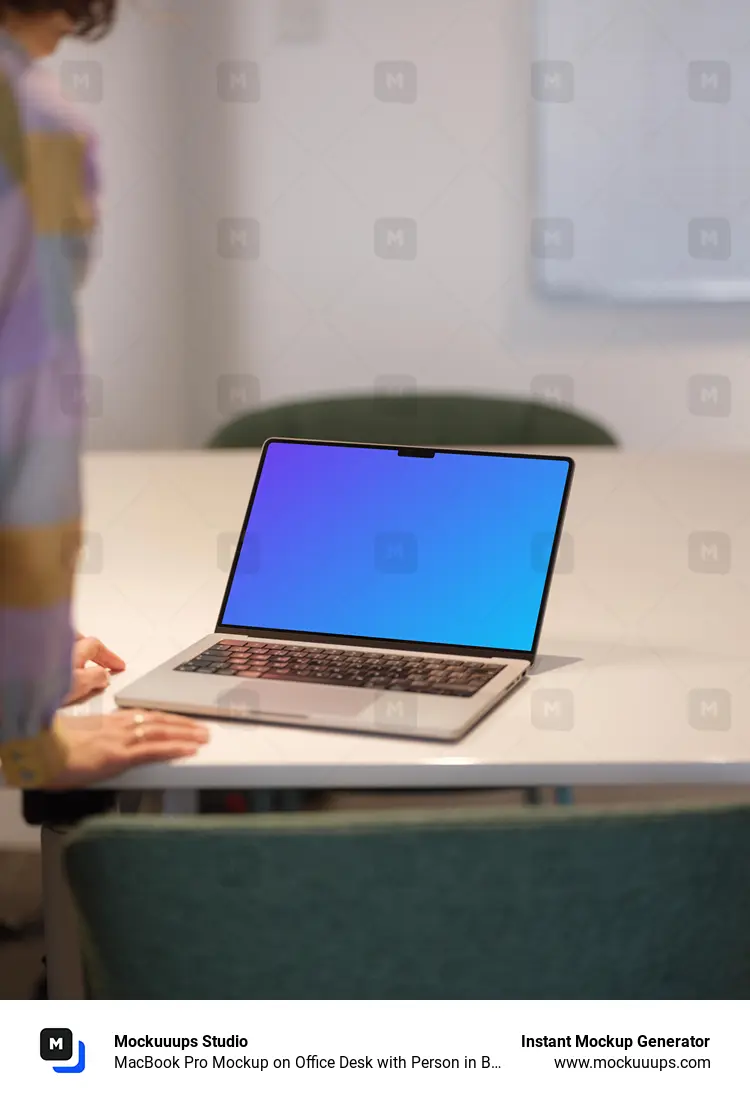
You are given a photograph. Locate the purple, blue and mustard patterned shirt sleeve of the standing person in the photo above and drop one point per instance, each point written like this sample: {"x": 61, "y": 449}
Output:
{"x": 49, "y": 199}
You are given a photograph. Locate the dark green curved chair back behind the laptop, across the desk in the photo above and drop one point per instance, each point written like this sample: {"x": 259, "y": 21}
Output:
{"x": 418, "y": 420}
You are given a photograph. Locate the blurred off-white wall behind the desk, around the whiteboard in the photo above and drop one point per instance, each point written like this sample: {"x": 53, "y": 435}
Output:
{"x": 185, "y": 339}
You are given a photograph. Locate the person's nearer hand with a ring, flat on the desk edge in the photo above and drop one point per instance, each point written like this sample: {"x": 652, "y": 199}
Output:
{"x": 103, "y": 747}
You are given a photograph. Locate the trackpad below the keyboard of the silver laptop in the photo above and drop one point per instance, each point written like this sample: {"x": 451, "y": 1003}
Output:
{"x": 274, "y": 701}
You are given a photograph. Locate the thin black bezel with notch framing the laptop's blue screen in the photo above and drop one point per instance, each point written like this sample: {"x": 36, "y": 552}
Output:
{"x": 362, "y": 643}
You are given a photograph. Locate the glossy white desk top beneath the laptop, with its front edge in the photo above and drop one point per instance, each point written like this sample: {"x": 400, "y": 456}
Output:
{"x": 645, "y": 667}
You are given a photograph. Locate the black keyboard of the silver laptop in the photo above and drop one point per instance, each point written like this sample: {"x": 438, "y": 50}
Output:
{"x": 343, "y": 668}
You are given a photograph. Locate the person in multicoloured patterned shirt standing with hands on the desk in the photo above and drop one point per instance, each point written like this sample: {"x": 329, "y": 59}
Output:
{"x": 49, "y": 213}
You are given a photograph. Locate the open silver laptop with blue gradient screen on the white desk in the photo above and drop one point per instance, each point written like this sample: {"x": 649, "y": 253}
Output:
{"x": 377, "y": 590}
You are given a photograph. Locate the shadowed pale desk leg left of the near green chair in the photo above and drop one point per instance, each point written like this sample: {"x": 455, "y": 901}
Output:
{"x": 65, "y": 972}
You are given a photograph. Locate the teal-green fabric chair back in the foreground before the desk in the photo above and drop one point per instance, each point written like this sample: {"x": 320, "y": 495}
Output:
{"x": 461, "y": 905}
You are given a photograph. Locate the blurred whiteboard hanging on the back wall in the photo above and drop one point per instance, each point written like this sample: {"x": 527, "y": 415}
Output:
{"x": 643, "y": 150}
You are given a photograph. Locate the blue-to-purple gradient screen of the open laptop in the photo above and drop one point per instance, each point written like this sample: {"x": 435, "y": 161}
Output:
{"x": 366, "y": 543}
